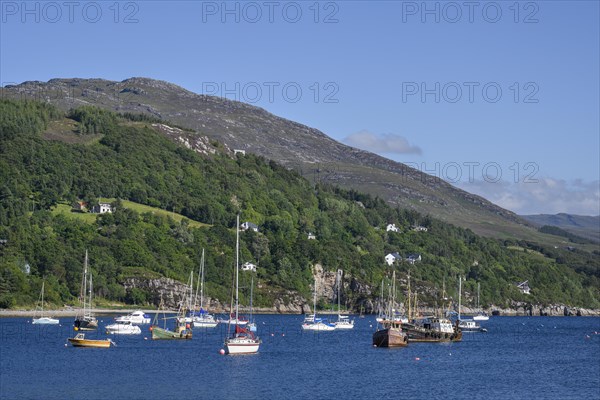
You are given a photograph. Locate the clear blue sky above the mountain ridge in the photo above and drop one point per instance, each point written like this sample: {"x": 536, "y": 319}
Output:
{"x": 499, "y": 98}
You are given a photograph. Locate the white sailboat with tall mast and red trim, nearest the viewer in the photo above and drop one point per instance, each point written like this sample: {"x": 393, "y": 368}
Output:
{"x": 242, "y": 341}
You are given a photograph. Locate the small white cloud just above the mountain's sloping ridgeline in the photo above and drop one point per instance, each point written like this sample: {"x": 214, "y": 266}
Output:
{"x": 383, "y": 143}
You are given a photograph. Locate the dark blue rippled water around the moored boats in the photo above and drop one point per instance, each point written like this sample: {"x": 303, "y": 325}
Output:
{"x": 520, "y": 357}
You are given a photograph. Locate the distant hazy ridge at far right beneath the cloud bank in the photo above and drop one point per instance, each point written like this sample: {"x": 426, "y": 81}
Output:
{"x": 582, "y": 225}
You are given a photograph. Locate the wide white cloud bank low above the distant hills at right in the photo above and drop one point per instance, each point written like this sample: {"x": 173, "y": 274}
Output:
{"x": 546, "y": 196}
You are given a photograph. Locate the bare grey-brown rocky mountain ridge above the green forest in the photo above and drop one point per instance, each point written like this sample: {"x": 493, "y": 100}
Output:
{"x": 311, "y": 152}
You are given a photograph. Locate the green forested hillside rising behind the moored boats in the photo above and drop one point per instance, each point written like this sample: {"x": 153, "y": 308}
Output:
{"x": 48, "y": 158}
